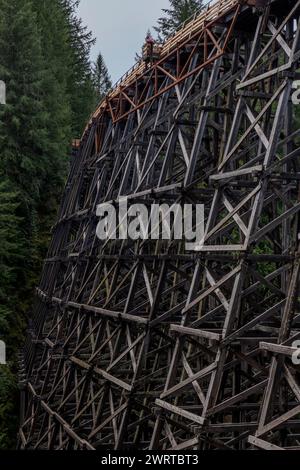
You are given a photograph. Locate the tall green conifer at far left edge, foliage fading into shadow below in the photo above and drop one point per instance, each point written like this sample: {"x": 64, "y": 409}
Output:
{"x": 24, "y": 119}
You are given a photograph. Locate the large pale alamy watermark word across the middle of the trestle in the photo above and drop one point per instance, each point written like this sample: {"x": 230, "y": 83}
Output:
{"x": 151, "y": 222}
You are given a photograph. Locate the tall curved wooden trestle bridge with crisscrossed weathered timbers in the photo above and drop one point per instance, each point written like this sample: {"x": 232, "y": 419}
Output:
{"x": 142, "y": 344}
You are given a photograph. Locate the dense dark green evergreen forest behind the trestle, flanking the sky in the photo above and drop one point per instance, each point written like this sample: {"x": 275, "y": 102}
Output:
{"x": 52, "y": 88}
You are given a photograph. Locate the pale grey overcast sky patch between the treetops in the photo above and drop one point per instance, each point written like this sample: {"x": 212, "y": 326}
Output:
{"x": 120, "y": 27}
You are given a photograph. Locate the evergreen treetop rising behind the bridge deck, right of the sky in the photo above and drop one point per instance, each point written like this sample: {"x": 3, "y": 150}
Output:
{"x": 179, "y": 12}
